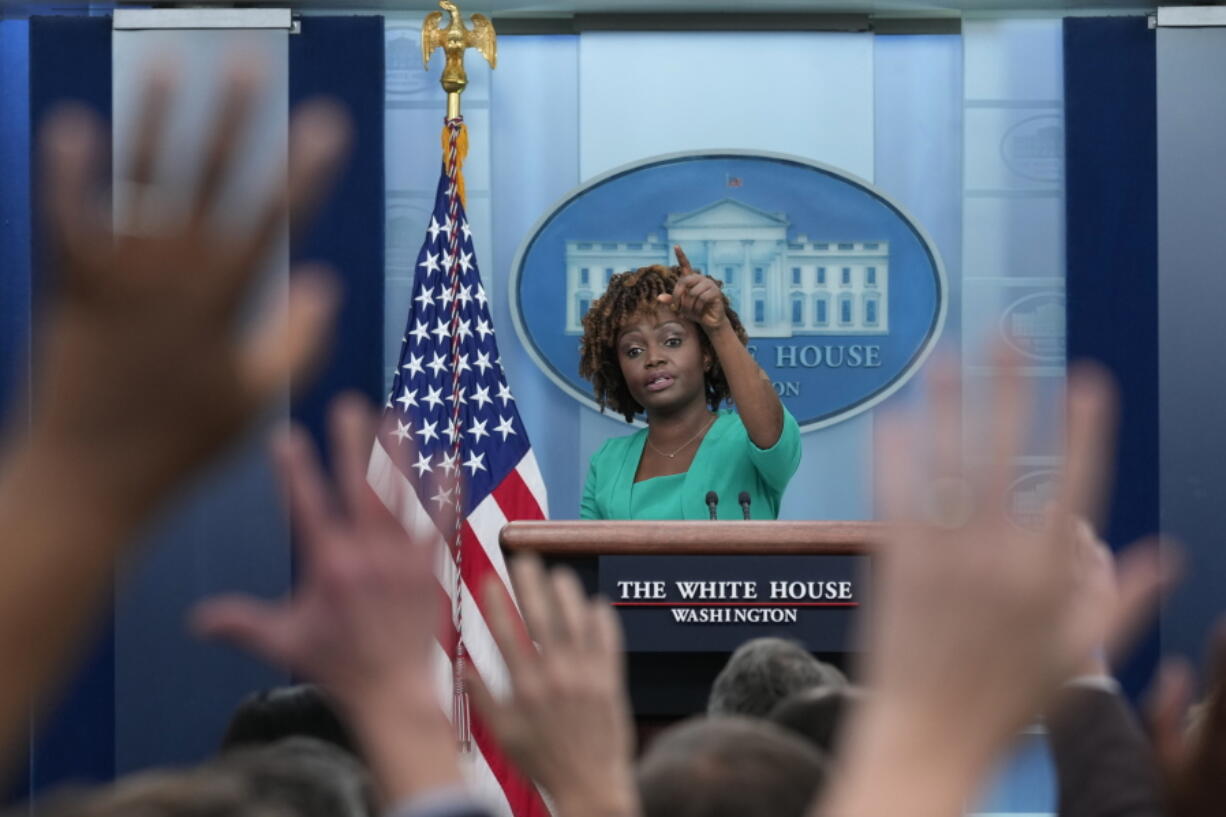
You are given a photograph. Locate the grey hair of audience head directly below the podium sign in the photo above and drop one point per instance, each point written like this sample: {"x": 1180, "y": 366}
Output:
{"x": 764, "y": 672}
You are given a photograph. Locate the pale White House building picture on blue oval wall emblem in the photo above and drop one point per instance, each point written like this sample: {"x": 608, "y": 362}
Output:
{"x": 780, "y": 286}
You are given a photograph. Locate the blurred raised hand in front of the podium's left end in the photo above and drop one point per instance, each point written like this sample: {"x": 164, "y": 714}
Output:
{"x": 567, "y": 722}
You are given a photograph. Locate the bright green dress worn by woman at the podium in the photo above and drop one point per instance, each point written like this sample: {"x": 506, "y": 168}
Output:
{"x": 728, "y": 462}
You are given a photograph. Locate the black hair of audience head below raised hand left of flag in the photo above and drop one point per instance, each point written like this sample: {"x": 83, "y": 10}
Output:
{"x": 273, "y": 715}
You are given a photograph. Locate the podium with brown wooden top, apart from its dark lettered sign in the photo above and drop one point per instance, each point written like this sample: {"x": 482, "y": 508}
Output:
{"x": 668, "y": 686}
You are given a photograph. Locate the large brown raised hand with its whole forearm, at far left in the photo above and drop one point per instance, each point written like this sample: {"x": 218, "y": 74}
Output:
{"x": 139, "y": 376}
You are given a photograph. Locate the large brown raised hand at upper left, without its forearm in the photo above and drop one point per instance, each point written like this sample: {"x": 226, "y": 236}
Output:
{"x": 142, "y": 372}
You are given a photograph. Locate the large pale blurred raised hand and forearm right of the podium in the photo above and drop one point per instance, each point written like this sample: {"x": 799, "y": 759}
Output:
{"x": 975, "y": 623}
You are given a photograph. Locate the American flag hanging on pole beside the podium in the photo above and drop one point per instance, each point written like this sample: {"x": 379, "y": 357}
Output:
{"x": 451, "y": 413}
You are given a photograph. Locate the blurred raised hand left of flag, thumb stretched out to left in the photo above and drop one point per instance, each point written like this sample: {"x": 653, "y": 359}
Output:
{"x": 362, "y": 621}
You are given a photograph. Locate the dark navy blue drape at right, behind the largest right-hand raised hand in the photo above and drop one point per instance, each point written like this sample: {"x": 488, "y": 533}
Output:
{"x": 1111, "y": 153}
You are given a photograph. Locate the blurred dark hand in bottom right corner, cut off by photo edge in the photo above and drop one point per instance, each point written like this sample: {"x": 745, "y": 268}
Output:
{"x": 1192, "y": 756}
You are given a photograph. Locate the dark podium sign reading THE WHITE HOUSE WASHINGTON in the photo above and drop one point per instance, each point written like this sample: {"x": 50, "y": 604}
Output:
{"x": 715, "y": 603}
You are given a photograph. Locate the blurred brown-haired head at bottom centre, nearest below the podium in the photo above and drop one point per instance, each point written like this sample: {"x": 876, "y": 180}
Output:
{"x": 730, "y": 767}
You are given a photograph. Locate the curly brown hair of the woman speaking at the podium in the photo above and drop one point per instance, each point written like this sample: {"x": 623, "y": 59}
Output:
{"x": 628, "y": 295}
